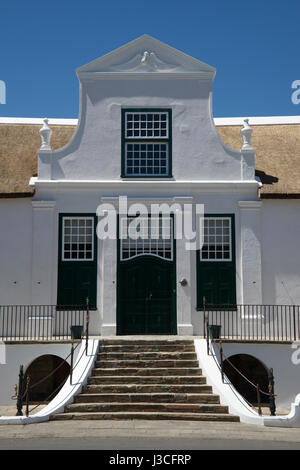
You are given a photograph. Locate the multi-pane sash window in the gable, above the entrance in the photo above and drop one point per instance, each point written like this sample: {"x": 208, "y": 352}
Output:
{"x": 146, "y": 142}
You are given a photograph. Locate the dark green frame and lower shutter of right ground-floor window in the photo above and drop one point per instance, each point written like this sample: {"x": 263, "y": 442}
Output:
{"x": 216, "y": 281}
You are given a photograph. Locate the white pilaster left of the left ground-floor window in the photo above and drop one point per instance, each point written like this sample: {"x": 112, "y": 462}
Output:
{"x": 43, "y": 257}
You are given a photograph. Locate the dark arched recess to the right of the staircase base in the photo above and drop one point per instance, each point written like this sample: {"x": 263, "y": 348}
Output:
{"x": 254, "y": 370}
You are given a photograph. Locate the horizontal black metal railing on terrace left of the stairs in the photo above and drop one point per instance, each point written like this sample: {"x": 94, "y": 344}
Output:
{"x": 40, "y": 322}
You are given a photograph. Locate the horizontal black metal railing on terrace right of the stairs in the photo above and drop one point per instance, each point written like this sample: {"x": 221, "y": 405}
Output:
{"x": 253, "y": 322}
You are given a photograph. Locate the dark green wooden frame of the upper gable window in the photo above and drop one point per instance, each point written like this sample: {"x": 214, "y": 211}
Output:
{"x": 146, "y": 140}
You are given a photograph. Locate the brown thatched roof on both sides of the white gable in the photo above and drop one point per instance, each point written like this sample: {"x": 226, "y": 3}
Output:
{"x": 277, "y": 159}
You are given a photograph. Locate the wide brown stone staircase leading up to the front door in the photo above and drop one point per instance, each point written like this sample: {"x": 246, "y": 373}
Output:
{"x": 147, "y": 379}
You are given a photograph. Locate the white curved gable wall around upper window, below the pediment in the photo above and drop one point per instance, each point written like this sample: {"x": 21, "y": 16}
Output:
{"x": 94, "y": 151}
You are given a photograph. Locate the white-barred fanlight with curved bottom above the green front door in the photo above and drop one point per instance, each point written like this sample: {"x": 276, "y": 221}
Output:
{"x": 148, "y": 236}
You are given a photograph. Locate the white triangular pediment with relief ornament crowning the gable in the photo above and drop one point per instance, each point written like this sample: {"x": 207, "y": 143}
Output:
{"x": 146, "y": 55}
